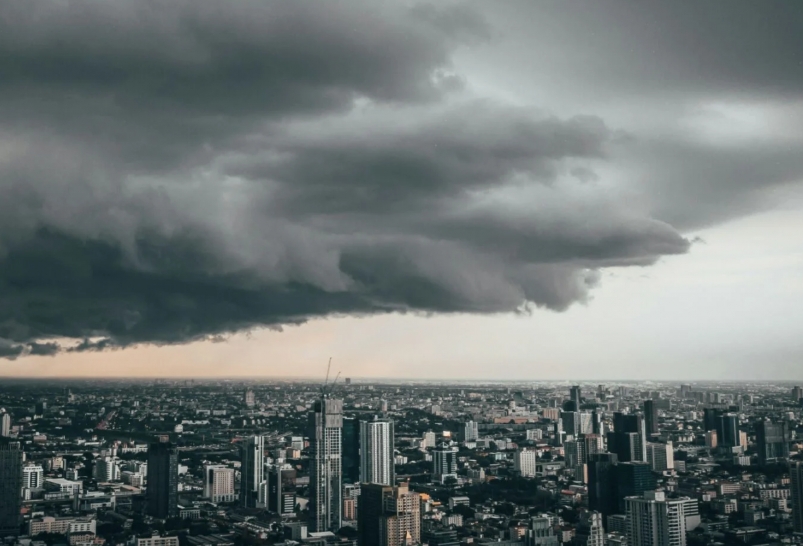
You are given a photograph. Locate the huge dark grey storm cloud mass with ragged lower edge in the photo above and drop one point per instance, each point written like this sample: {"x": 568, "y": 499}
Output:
{"x": 174, "y": 171}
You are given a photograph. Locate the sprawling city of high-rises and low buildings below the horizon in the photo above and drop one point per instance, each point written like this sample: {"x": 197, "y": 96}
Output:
{"x": 355, "y": 462}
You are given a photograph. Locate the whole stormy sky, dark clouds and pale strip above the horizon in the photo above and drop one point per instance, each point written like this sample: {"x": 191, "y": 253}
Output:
{"x": 506, "y": 190}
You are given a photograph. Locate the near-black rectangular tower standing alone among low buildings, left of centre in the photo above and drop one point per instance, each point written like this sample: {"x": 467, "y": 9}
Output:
{"x": 162, "y": 492}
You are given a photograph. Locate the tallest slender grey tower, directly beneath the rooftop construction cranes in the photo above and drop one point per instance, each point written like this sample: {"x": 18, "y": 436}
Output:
{"x": 326, "y": 443}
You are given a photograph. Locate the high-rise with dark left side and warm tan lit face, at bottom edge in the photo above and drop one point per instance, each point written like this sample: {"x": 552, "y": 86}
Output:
{"x": 388, "y": 516}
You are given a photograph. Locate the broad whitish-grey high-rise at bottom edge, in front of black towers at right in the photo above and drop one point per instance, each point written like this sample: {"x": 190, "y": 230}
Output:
{"x": 652, "y": 519}
